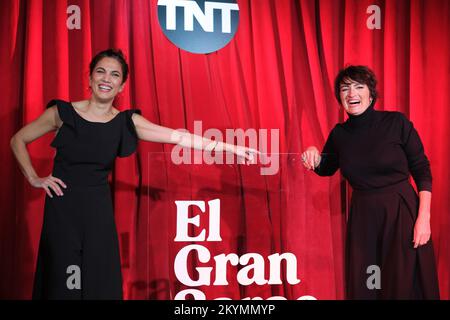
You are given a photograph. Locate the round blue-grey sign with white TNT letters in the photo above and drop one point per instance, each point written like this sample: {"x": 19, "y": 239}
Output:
{"x": 199, "y": 26}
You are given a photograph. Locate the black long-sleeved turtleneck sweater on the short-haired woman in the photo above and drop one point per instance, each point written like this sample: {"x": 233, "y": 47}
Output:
{"x": 374, "y": 150}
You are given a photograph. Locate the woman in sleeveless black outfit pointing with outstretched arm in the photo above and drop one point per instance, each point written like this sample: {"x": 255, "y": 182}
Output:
{"x": 78, "y": 252}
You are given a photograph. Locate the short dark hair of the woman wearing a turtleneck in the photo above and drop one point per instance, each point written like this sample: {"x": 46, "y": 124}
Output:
{"x": 361, "y": 74}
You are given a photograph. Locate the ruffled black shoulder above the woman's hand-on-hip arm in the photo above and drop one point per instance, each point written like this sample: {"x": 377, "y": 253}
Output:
{"x": 68, "y": 131}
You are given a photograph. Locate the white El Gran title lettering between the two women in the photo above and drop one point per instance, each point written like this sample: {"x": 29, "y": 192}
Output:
{"x": 251, "y": 265}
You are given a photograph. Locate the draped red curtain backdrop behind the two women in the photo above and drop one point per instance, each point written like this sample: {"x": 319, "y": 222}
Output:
{"x": 277, "y": 73}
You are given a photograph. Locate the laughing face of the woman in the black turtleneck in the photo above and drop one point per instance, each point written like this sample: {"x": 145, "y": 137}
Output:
{"x": 355, "y": 97}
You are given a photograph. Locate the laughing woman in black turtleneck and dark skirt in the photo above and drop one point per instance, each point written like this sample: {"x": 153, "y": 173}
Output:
{"x": 389, "y": 254}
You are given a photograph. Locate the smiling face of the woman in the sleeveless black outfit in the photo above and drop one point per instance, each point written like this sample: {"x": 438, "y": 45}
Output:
{"x": 106, "y": 79}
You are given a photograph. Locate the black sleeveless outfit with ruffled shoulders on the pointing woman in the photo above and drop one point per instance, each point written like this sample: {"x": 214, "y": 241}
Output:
{"x": 78, "y": 254}
